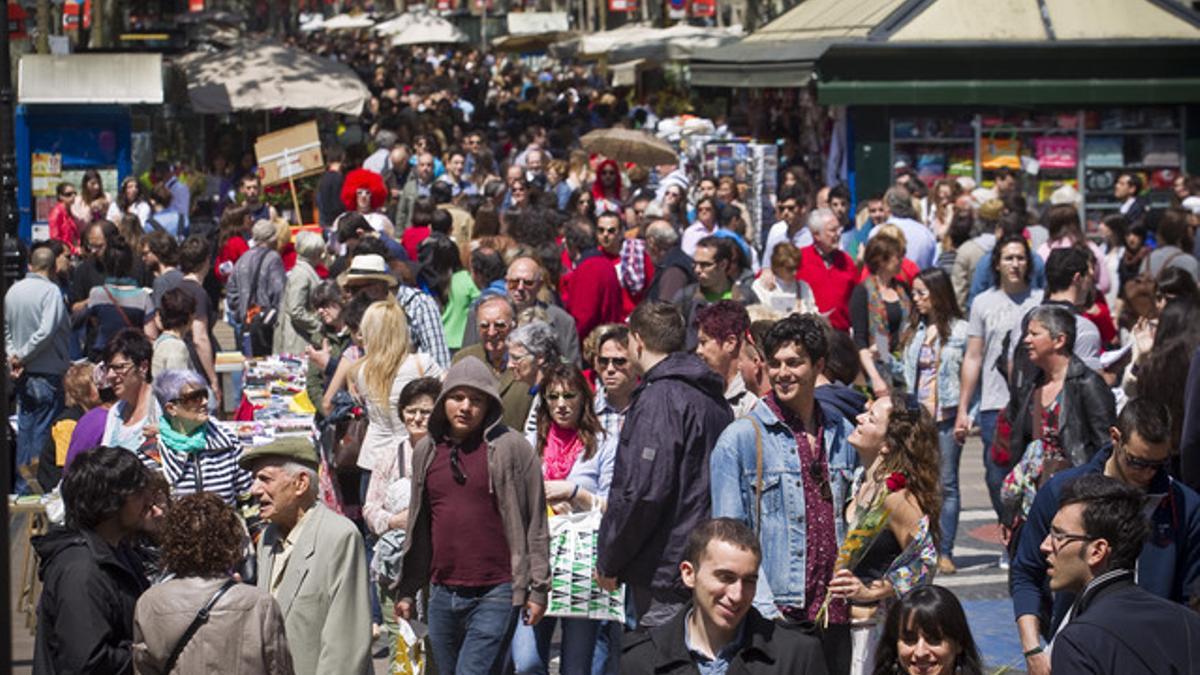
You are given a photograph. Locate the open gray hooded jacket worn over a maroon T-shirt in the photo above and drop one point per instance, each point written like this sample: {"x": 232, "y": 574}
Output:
{"x": 514, "y": 471}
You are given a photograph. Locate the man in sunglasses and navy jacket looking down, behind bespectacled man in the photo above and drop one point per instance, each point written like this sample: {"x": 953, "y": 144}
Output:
{"x": 1169, "y": 563}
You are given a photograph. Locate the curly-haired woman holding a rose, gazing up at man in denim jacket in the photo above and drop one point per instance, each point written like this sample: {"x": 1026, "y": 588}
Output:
{"x": 898, "y": 447}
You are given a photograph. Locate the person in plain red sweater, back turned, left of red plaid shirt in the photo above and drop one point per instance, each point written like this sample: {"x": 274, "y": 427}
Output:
{"x": 591, "y": 291}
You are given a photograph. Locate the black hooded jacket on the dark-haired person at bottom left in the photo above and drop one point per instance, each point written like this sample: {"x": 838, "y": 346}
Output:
{"x": 86, "y": 613}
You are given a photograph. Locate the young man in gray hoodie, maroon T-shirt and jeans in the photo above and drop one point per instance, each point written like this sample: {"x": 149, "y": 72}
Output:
{"x": 473, "y": 479}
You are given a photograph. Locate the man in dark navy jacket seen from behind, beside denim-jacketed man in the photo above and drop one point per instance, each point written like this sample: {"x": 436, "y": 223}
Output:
{"x": 675, "y": 417}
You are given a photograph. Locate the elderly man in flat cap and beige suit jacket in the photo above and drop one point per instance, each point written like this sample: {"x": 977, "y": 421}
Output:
{"x": 313, "y": 561}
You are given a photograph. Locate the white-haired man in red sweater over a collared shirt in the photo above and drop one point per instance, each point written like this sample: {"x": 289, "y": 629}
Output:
{"x": 829, "y": 270}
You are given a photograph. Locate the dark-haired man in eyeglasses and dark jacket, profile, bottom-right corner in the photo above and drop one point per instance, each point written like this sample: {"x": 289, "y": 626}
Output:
{"x": 1095, "y": 549}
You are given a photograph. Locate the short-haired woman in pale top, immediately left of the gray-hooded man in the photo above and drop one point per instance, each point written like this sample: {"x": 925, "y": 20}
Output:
{"x": 386, "y": 509}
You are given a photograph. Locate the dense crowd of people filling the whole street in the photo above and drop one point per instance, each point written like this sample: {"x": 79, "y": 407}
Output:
{"x": 501, "y": 328}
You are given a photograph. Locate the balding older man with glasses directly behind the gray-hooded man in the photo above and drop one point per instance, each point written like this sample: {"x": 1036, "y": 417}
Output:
{"x": 495, "y": 320}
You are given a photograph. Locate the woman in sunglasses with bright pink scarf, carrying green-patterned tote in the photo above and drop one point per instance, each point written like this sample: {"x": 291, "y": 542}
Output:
{"x": 578, "y": 477}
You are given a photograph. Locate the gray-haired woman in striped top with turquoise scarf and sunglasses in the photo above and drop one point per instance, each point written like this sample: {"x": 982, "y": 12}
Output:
{"x": 195, "y": 455}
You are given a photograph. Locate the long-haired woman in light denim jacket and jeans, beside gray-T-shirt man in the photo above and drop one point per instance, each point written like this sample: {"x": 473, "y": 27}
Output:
{"x": 933, "y": 361}
